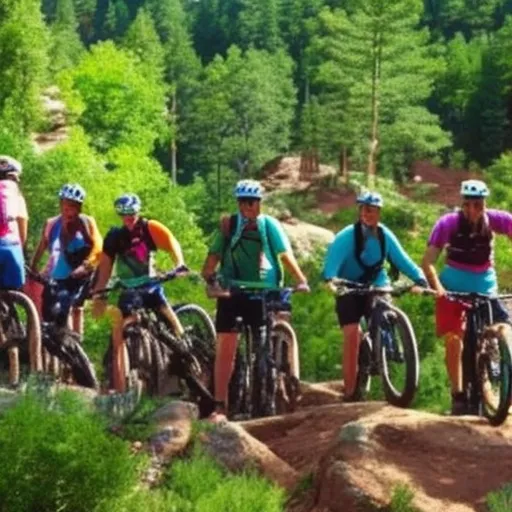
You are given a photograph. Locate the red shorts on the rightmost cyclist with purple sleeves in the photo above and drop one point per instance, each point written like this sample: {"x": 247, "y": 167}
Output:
{"x": 451, "y": 315}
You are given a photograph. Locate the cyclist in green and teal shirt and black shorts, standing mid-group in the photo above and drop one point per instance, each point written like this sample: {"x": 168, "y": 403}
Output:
{"x": 249, "y": 246}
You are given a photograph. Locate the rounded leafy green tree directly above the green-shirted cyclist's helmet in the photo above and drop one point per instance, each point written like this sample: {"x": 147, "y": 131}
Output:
{"x": 241, "y": 116}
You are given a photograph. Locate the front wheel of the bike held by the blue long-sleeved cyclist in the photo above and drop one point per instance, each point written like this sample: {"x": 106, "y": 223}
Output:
{"x": 399, "y": 357}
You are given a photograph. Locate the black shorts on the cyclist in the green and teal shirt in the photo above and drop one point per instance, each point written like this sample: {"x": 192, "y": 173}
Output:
{"x": 250, "y": 310}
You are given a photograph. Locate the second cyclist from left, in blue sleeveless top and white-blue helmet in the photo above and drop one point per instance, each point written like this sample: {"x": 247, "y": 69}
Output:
{"x": 73, "y": 242}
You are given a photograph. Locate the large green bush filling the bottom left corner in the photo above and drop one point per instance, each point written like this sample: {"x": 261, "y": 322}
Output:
{"x": 56, "y": 455}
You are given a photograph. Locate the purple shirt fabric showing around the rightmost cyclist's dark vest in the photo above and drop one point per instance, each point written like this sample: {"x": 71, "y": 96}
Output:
{"x": 499, "y": 222}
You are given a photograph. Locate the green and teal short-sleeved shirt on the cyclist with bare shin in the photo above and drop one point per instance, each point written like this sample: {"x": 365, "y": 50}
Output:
{"x": 248, "y": 257}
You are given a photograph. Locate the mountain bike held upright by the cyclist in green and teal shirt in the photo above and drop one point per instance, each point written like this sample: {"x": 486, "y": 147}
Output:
{"x": 264, "y": 380}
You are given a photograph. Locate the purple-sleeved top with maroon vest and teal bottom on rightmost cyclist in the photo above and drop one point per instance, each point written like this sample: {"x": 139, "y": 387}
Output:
{"x": 472, "y": 272}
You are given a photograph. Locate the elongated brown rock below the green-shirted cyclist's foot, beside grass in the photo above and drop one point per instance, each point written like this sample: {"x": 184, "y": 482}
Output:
{"x": 237, "y": 451}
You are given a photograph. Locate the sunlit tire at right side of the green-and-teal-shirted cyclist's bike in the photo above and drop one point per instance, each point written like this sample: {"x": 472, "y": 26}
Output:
{"x": 288, "y": 385}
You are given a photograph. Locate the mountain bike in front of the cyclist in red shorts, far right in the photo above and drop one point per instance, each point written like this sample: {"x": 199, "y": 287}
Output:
{"x": 486, "y": 358}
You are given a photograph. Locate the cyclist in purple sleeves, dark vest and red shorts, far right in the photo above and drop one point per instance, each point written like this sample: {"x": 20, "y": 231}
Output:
{"x": 467, "y": 235}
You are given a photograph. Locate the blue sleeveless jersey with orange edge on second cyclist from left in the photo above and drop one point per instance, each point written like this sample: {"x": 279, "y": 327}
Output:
{"x": 69, "y": 249}
